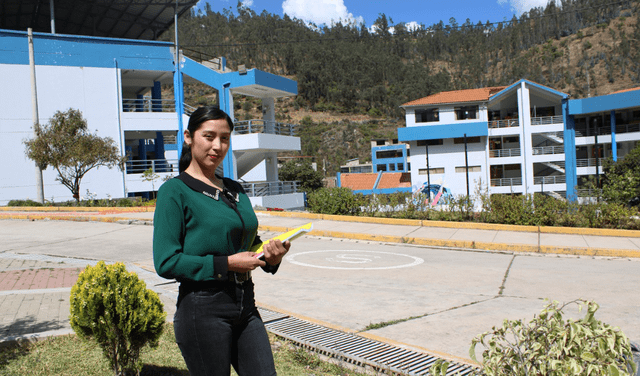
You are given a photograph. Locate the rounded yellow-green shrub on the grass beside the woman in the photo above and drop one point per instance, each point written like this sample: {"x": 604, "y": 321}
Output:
{"x": 114, "y": 308}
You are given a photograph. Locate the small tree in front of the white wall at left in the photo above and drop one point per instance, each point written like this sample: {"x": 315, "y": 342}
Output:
{"x": 66, "y": 144}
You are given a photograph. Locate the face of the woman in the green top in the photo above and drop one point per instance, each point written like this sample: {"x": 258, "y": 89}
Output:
{"x": 209, "y": 143}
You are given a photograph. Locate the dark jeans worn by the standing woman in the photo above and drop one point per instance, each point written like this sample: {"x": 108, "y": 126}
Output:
{"x": 220, "y": 326}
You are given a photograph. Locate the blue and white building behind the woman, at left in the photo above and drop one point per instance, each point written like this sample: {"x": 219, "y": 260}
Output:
{"x": 118, "y": 85}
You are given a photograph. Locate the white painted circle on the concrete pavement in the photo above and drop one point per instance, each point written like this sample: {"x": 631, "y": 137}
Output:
{"x": 349, "y": 259}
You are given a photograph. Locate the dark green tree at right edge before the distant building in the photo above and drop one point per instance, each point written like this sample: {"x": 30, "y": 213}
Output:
{"x": 621, "y": 182}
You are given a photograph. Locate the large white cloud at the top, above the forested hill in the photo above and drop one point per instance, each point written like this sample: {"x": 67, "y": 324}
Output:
{"x": 320, "y": 12}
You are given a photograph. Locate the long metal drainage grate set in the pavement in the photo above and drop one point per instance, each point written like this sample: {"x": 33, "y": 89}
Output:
{"x": 355, "y": 349}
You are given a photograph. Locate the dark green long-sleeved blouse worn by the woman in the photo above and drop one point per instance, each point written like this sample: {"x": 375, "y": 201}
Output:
{"x": 193, "y": 234}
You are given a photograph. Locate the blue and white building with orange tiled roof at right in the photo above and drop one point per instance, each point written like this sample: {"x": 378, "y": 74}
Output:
{"x": 519, "y": 139}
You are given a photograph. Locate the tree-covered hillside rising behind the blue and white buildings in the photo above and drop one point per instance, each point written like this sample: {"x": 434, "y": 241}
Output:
{"x": 351, "y": 82}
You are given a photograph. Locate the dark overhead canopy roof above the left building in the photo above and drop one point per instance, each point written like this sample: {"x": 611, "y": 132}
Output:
{"x": 132, "y": 19}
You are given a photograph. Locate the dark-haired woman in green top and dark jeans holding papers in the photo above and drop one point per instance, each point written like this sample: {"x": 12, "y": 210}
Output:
{"x": 204, "y": 226}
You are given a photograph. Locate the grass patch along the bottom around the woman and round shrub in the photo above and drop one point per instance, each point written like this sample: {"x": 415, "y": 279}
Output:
{"x": 70, "y": 355}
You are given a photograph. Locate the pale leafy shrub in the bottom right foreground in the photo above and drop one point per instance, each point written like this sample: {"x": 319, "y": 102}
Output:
{"x": 549, "y": 345}
